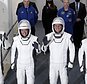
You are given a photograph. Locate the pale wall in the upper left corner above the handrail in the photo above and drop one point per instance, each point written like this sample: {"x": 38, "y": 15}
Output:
{"x": 7, "y": 14}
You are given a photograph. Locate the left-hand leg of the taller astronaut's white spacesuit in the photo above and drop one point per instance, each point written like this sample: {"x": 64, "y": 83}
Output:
{"x": 53, "y": 75}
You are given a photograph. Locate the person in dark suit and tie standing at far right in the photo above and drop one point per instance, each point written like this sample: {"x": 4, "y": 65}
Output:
{"x": 80, "y": 11}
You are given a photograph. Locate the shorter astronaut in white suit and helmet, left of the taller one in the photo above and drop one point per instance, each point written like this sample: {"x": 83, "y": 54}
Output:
{"x": 25, "y": 43}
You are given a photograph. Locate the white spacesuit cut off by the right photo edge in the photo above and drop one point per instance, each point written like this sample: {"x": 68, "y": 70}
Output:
{"x": 82, "y": 51}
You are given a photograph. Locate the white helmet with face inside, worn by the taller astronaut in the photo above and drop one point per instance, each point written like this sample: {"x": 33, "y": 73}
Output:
{"x": 59, "y": 23}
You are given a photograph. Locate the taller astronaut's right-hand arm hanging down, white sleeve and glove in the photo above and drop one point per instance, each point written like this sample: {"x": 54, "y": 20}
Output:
{"x": 71, "y": 53}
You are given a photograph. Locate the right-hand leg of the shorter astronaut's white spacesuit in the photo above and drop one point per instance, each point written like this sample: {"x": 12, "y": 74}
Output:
{"x": 30, "y": 75}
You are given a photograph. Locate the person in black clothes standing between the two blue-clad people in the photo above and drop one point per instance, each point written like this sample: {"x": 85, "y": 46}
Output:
{"x": 49, "y": 12}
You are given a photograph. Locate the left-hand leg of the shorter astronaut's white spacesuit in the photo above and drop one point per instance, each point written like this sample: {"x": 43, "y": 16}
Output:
{"x": 20, "y": 76}
